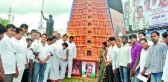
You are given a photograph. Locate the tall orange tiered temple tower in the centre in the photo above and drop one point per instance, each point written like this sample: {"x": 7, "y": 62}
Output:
{"x": 90, "y": 24}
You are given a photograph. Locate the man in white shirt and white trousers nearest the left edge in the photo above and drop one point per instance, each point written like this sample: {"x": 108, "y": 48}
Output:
{"x": 18, "y": 53}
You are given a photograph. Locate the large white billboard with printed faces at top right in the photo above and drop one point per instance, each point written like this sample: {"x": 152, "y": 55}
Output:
{"x": 148, "y": 13}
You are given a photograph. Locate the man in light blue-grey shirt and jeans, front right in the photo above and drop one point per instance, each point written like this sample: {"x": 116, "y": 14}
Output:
{"x": 157, "y": 51}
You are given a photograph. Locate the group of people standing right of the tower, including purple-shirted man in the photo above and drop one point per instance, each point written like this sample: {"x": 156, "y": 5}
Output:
{"x": 134, "y": 61}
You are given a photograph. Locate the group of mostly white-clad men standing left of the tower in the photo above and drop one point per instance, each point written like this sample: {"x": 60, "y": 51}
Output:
{"x": 34, "y": 57}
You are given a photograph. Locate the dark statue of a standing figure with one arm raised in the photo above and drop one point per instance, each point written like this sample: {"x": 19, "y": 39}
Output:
{"x": 49, "y": 24}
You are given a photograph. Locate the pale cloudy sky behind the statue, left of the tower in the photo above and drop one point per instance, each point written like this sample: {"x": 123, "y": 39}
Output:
{"x": 28, "y": 11}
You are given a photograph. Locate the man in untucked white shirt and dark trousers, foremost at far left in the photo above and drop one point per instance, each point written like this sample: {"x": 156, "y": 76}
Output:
{"x": 7, "y": 53}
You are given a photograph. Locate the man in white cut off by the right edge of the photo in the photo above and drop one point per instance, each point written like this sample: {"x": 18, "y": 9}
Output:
{"x": 165, "y": 72}
